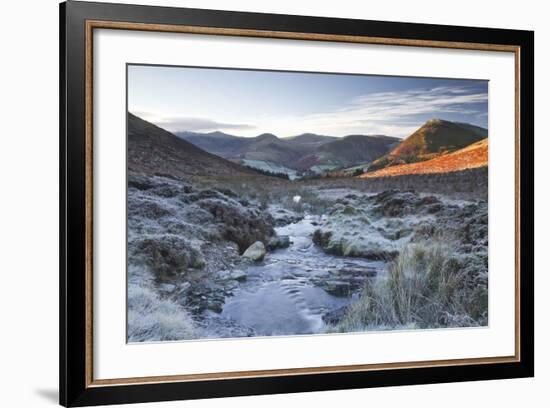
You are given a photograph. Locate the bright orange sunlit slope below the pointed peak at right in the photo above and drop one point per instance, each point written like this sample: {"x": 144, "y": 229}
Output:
{"x": 472, "y": 156}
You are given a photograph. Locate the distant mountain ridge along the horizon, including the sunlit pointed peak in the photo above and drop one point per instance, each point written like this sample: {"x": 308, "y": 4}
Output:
{"x": 310, "y": 153}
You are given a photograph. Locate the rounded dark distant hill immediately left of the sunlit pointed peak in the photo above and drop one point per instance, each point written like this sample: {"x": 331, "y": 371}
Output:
{"x": 348, "y": 151}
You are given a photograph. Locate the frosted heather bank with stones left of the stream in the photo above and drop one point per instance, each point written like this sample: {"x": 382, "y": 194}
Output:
{"x": 188, "y": 240}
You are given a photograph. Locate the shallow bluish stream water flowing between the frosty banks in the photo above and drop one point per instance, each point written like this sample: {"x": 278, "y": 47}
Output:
{"x": 283, "y": 295}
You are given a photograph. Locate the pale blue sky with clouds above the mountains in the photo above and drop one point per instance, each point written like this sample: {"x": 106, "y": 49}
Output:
{"x": 251, "y": 102}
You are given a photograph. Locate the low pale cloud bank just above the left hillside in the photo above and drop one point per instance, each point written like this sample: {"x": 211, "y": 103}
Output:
{"x": 179, "y": 124}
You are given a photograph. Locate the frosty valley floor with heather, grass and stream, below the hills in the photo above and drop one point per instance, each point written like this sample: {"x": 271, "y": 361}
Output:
{"x": 342, "y": 258}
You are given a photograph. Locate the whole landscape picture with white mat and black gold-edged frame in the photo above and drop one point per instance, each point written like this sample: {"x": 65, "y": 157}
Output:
{"x": 256, "y": 203}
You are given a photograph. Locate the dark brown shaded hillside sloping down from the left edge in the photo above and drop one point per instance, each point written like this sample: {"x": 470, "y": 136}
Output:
{"x": 153, "y": 150}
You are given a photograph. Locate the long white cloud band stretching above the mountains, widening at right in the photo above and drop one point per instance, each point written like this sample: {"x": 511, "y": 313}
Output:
{"x": 397, "y": 113}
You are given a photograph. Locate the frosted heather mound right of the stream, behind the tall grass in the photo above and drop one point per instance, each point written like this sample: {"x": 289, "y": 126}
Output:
{"x": 378, "y": 226}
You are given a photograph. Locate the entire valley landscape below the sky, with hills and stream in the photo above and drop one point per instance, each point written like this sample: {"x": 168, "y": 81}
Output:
{"x": 218, "y": 250}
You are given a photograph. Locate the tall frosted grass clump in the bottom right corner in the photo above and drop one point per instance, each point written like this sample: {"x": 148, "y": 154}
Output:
{"x": 427, "y": 286}
